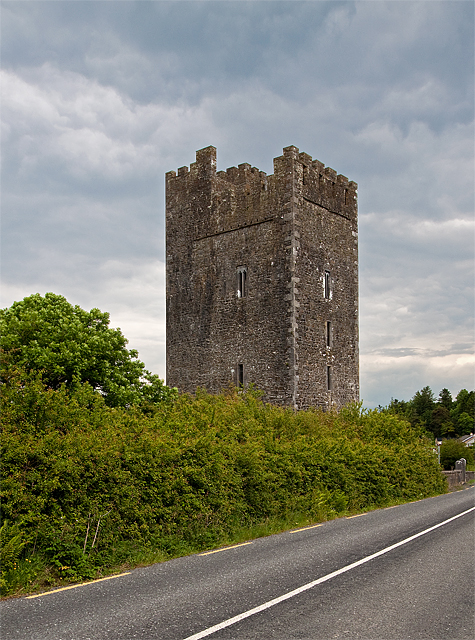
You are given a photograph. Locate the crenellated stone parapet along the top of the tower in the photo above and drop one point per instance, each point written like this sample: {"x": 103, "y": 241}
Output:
{"x": 244, "y": 195}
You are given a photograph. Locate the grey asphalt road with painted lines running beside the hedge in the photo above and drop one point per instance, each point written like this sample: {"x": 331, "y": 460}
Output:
{"x": 394, "y": 574}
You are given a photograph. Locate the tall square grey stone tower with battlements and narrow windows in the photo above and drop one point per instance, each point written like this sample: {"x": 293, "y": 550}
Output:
{"x": 262, "y": 280}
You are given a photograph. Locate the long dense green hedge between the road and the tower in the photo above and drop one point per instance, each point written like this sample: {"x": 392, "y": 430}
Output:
{"x": 87, "y": 486}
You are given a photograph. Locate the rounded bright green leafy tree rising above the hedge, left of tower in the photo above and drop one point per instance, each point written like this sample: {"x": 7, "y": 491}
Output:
{"x": 70, "y": 345}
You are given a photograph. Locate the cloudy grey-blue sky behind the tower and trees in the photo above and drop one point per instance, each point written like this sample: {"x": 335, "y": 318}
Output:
{"x": 100, "y": 99}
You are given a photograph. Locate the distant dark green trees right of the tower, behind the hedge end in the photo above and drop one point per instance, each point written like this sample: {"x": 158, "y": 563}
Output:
{"x": 443, "y": 416}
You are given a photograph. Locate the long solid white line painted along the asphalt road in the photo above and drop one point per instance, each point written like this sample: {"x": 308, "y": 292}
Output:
{"x": 310, "y": 585}
